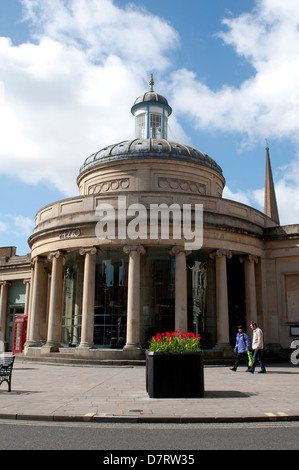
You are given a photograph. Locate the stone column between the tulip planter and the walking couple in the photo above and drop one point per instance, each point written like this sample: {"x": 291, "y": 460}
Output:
{"x": 222, "y": 299}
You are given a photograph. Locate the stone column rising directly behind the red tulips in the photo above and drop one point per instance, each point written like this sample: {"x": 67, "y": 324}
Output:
{"x": 181, "y": 313}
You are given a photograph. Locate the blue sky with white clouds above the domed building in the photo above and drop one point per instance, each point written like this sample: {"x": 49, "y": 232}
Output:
{"x": 70, "y": 71}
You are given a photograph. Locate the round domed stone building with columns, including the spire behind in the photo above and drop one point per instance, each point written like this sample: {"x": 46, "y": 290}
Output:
{"x": 115, "y": 265}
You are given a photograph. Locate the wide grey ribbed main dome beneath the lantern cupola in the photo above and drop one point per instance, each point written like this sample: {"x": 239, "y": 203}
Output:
{"x": 149, "y": 148}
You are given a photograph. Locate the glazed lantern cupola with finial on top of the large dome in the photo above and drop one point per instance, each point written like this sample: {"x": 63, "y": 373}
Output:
{"x": 151, "y": 112}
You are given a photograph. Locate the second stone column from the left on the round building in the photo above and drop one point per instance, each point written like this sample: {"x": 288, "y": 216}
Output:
{"x": 55, "y": 303}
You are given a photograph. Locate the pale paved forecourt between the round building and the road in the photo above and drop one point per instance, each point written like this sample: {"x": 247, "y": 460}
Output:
{"x": 99, "y": 393}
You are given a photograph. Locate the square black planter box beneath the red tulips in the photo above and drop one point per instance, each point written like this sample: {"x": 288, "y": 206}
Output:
{"x": 174, "y": 374}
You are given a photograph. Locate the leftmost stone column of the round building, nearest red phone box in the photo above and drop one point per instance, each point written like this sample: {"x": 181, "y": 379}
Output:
{"x": 38, "y": 302}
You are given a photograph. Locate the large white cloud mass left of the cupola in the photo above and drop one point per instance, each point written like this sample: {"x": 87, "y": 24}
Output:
{"x": 68, "y": 92}
